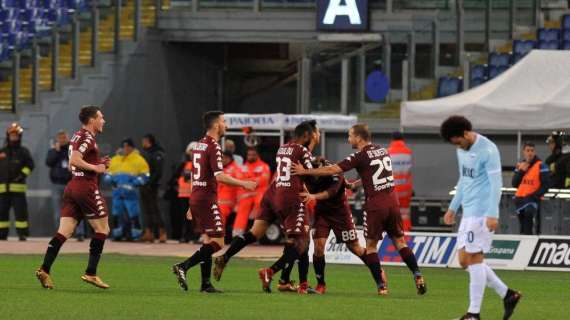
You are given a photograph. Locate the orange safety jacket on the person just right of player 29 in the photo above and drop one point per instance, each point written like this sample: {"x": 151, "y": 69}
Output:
{"x": 401, "y": 157}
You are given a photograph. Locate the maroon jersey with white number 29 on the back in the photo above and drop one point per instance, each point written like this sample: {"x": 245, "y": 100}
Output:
{"x": 374, "y": 167}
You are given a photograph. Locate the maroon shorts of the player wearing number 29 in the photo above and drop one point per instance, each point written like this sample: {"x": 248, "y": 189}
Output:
{"x": 383, "y": 219}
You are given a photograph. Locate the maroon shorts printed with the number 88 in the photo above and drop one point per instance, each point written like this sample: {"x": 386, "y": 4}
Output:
{"x": 339, "y": 220}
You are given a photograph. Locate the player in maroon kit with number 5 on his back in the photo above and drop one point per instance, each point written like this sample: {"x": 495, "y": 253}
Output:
{"x": 207, "y": 172}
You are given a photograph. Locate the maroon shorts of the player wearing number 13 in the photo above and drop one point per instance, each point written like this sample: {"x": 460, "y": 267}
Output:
{"x": 294, "y": 219}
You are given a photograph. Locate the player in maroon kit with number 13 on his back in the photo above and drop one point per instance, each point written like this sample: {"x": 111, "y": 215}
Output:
{"x": 279, "y": 202}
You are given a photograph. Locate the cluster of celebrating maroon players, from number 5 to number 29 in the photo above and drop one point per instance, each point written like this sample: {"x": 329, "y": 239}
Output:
{"x": 299, "y": 178}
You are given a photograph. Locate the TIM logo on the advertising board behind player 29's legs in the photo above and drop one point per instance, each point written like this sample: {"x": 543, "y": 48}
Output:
{"x": 429, "y": 250}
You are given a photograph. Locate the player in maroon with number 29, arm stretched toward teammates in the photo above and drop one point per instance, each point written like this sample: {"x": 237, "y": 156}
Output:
{"x": 374, "y": 167}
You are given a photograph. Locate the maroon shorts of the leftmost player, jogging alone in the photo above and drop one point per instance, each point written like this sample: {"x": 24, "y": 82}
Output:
{"x": 82, "y": 200}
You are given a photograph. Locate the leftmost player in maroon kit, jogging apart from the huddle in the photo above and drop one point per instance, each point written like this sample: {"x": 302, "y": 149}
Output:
{"x": 82, "y": 199}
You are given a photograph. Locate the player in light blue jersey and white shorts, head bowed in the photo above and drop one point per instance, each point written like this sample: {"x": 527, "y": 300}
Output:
{"x": 478, "y": 193}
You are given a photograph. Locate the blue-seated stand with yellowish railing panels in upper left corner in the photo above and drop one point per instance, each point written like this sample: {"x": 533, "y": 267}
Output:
{"x": 43, "y": 41}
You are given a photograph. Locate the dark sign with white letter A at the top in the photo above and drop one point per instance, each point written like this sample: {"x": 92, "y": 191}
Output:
{"x": 342, "y": 15}
